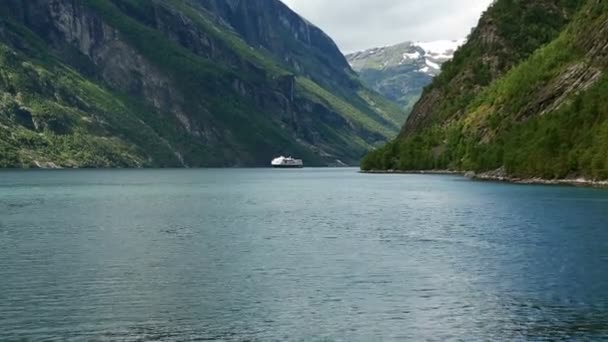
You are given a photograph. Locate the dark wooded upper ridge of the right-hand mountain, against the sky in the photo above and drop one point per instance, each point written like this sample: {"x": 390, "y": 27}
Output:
{"x": 509, "y": 32}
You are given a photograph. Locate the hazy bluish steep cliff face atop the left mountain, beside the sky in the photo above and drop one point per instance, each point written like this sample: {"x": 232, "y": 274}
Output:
{"x": 301, "y": 46}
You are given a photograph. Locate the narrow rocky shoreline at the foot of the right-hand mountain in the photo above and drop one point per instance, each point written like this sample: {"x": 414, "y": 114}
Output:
{"x": 499, "y": 177}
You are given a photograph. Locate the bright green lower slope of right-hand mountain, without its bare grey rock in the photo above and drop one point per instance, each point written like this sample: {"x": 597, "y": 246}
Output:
{"x": 569, "y": 141}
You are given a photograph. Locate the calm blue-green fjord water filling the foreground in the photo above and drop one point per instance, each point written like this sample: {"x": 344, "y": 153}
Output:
{"x": 298, "y": 255}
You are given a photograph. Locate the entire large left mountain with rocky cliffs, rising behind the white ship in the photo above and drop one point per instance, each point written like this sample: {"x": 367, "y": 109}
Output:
{"x": 174, "y": 83}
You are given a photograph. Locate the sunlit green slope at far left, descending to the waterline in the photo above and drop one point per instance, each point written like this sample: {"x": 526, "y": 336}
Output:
{"x": 79, "y": 122}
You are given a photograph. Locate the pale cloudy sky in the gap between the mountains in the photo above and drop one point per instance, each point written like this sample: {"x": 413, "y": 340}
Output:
{"x": 361, "y": 24}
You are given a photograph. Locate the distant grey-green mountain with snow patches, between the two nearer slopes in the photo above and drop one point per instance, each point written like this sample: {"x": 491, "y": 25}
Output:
{"x": 401, "y": 72}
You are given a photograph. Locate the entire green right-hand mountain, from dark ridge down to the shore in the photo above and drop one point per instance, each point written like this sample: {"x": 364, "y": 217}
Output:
{"x": 524, "y": 98}
